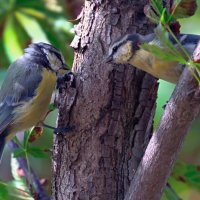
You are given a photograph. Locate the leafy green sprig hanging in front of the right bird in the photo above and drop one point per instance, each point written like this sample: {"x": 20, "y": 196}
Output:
{"x": 166, "y": 18}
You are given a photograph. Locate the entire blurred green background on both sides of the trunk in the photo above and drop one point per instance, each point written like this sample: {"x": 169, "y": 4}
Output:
{"x": 26, "y": 21}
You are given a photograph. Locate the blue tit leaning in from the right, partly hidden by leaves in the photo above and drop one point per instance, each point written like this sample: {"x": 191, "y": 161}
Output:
{"x": 127, "y": 50}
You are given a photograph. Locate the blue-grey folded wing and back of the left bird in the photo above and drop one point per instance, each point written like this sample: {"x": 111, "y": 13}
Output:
{"x": 19, "y": 86}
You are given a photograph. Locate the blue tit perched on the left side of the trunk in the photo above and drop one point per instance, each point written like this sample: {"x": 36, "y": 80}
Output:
{"x": 27, "y": 89}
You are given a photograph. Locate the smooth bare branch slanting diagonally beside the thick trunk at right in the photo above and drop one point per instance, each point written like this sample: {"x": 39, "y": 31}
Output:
{"x": 165, "y": 144}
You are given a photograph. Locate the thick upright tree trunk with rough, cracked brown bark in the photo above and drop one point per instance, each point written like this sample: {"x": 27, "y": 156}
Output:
{"x": 111, "y": 107}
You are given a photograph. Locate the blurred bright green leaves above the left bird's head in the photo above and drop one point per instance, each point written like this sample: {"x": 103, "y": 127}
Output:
{"x": 22, "y": 22}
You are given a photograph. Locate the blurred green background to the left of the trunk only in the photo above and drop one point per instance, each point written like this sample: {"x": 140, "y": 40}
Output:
{"x": 21, "y": 23}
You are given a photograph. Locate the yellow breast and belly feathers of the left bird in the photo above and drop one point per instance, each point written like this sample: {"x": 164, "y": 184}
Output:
{"x": 34, "y": 111}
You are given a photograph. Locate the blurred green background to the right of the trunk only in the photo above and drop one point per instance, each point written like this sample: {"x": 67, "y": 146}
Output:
{"x": 185, "y": 179}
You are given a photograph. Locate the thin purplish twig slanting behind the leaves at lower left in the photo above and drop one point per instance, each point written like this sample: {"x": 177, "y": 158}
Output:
{"x": 40, "y": 191}
